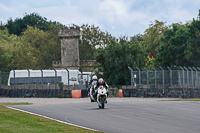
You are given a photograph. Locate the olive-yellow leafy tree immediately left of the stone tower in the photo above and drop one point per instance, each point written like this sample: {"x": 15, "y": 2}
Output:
{"x": 37, "y": 49}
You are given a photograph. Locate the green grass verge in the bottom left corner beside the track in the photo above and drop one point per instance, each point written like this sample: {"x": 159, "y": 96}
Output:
{"x": 12, "y": 121}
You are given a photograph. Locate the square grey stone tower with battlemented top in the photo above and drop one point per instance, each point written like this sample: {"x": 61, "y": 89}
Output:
{"x": 69, "y": 47}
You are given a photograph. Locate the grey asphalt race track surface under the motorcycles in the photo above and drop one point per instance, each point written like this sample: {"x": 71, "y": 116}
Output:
{"x": 126, "y": 117}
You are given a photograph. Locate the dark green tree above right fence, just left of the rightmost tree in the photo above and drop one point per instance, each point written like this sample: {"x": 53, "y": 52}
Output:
{"x": 172, "y": 48}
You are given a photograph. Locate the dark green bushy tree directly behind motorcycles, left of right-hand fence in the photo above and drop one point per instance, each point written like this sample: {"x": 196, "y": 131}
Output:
{"x": 116, "y": 58}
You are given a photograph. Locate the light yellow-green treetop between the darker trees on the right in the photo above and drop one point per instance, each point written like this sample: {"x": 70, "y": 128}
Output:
{"x": 152, "y": 36}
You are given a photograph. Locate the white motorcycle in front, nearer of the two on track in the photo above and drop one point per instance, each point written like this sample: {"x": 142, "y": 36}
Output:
{"x": 101, "y": 96}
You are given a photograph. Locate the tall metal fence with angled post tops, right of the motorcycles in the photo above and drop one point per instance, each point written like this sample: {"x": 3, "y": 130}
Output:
{"x": 160, "y": 78}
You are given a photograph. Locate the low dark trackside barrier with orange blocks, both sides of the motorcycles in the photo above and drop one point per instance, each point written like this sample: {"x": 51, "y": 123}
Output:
{"x": 50, "y": 93}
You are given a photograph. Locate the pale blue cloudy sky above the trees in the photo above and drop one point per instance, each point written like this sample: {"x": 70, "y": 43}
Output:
{"x": 118, "y": 17}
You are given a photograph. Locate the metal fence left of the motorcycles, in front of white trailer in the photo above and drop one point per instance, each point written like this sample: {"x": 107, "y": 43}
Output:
{"x": 43, "y": 82}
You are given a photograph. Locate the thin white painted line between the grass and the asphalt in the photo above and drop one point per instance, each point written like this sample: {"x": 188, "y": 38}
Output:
{"x": 52, "y": 119}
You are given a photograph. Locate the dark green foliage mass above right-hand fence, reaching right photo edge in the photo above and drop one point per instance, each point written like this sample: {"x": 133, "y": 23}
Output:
{"x": 180, "y": 46}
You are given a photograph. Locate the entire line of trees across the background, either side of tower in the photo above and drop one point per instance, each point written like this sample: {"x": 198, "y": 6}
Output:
{"x": 32, "y": 42}
